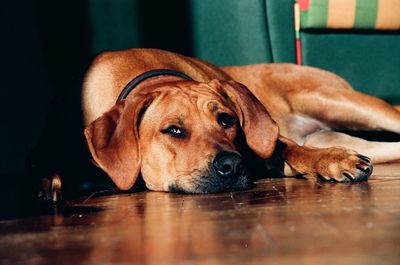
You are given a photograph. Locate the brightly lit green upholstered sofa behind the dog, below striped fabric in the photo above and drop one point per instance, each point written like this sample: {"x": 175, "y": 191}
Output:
{"x": 241, "y": 32}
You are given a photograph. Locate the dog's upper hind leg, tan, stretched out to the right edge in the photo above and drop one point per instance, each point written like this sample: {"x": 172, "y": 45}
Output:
{"x": 347, "y": 109}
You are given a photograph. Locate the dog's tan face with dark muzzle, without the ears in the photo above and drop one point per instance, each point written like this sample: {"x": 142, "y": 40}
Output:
{"x": 181, "y": 134}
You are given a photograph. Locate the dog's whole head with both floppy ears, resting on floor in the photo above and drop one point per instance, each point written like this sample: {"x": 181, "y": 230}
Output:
{"x": 181, "y": 136}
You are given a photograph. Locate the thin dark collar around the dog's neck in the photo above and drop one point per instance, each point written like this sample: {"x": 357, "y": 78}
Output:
{"x": 146, "y": 75}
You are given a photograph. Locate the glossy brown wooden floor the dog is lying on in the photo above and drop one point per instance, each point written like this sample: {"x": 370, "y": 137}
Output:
{"x": 281, "y": 221}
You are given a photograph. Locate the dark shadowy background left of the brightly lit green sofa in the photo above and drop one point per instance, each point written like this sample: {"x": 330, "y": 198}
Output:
{"x": 47, "y": 46}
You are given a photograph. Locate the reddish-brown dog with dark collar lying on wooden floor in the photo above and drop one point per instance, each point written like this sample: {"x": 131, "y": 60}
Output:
{"x": 185, "y": 125}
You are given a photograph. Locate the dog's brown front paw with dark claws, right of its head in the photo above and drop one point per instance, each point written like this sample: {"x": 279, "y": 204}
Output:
{"x": 343, "y": 165}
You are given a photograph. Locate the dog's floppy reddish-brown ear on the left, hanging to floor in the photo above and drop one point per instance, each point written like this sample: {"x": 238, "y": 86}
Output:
{"x": 113, "y": 140}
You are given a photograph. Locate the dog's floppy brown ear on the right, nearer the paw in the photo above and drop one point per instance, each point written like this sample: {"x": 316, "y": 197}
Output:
{"x": 260, "y": 130}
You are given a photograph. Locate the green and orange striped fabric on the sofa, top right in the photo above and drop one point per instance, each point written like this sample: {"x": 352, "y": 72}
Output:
{"x": 350, "y": 14}
